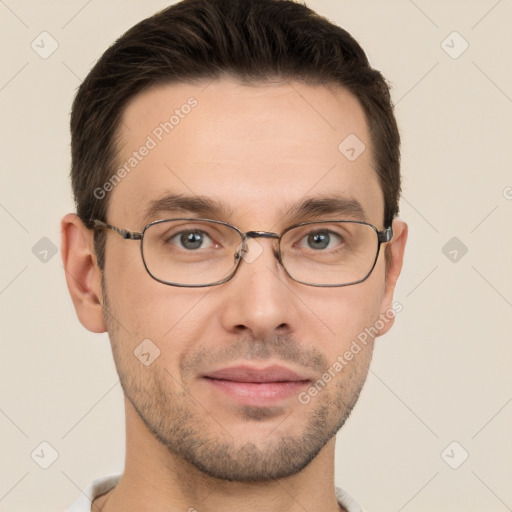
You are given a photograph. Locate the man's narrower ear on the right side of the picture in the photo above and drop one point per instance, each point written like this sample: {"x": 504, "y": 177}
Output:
{"x": 396, "y": 249}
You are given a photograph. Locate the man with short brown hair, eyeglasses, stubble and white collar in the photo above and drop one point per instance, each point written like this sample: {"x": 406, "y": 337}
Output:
{"x": 236, "y": 175}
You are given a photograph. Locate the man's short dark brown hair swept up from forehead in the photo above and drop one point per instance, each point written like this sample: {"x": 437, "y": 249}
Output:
{"x": 251, "y": 40}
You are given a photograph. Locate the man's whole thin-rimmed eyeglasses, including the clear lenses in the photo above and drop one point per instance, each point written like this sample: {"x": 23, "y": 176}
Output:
{"x": 192, "y": 252}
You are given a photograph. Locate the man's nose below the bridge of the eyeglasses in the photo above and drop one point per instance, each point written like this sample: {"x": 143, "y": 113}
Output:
{"x": 260, "y": 299}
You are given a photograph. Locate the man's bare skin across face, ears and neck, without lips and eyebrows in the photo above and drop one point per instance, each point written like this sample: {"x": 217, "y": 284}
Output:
{"x": 260, "y": 149}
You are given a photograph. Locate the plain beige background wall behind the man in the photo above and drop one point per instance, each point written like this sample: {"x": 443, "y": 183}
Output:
{"x": 441, "y": 375}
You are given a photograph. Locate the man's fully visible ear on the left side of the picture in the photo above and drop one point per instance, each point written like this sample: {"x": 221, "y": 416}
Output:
{"x": 83, "y": 275}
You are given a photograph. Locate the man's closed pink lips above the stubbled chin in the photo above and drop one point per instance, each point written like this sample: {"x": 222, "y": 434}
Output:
{"x": 258, "y": 387}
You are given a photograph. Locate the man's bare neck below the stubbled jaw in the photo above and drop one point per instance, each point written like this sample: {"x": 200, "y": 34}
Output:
{"x": 156, "y": 480}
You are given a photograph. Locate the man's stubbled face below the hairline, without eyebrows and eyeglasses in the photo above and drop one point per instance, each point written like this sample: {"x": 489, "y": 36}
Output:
{"x": 258, "y": 150}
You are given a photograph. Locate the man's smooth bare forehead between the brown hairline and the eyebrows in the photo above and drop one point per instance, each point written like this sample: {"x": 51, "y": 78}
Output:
{"x": 256, "y": 150}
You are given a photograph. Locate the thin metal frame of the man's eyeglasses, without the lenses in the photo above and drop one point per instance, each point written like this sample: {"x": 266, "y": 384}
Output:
{"x": 383, "y": 236}
